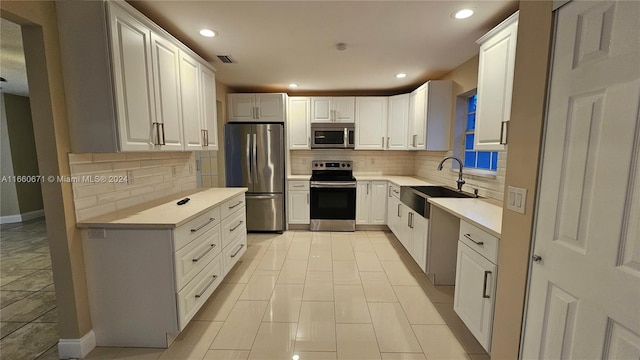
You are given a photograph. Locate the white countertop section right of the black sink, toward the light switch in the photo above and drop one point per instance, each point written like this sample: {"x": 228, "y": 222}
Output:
{"x": 476, "y": 211}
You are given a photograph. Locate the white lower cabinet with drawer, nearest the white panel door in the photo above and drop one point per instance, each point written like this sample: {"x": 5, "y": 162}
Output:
{"x": 476, "y": 278}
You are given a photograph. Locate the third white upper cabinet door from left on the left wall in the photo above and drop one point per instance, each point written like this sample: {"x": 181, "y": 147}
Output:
{"x": 190, "y": 95}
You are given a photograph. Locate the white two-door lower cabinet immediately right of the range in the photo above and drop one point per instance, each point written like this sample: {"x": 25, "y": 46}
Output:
{"x": 371, "y": 203}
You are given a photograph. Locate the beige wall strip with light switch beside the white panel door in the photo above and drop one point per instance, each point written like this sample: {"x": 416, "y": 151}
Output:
{"x": 525, "y": 134}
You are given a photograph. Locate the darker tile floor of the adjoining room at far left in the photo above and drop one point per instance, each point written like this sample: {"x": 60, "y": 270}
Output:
{"x": 28, "y": 314}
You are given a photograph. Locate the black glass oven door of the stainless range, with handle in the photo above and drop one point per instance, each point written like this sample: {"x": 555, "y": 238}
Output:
{"x": 333, "y": 200}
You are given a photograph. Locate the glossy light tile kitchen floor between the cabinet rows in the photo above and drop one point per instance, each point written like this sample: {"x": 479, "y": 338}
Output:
{"x": 321, "y": 295}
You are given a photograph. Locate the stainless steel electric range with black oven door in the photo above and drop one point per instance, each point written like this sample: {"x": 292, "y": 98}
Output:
{"x": 333, "y": 196}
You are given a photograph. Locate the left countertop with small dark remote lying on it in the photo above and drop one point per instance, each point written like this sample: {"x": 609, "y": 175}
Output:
{"x": 165, "y": 212}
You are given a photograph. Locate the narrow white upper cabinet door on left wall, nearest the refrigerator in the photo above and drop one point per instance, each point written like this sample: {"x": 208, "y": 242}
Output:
{"x": 209, "y": 120}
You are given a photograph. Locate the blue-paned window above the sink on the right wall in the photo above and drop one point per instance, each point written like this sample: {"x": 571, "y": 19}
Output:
{"x": 484, "y": 160}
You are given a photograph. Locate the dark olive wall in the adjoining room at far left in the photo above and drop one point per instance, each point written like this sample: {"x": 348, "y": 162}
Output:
{"x": 23, "y": 151}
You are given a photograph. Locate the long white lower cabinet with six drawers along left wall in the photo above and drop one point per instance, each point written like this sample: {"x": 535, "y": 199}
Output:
{"x": 146, "y": 283}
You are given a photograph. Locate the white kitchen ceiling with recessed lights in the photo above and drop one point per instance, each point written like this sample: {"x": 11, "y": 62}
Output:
{"x": 279, "y": 42}
